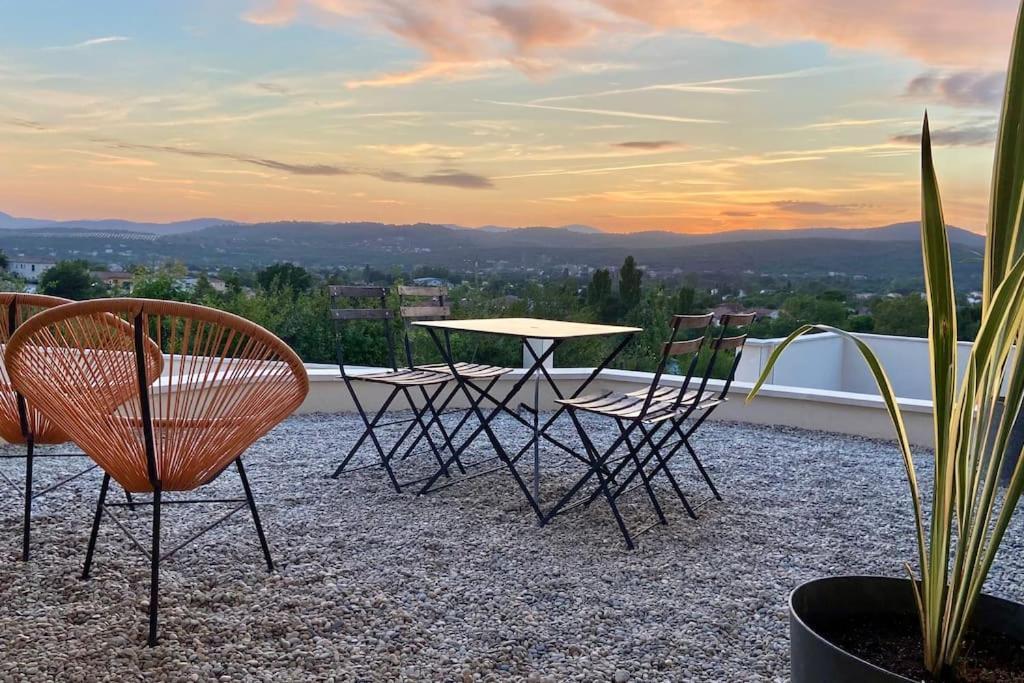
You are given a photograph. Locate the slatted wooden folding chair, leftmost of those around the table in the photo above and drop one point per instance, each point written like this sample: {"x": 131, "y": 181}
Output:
{"x": 402, "y": 381}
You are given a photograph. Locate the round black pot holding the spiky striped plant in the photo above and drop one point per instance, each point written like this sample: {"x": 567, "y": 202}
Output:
{"x": 820, "y": 604}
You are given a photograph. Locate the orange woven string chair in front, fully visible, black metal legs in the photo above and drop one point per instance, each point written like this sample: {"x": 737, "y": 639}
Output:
{"x": 227, "y": 383}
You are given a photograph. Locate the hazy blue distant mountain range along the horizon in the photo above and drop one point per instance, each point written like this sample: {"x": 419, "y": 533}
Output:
{"x": 891, "y": 251}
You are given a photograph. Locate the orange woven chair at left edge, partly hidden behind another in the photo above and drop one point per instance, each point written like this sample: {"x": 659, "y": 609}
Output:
{"x": 21, "y": 422}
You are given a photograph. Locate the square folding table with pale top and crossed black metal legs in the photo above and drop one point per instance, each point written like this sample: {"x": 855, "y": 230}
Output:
{"x": 526, "y": 329}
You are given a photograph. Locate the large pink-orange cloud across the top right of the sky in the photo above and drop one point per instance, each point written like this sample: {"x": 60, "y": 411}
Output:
{"x": 456, "y": 35}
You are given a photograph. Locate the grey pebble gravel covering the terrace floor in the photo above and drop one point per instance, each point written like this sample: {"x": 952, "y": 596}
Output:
{"x": 462, "y": 585}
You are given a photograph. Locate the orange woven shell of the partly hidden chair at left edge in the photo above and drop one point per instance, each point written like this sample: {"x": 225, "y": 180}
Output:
{"x": 18, "y": 419}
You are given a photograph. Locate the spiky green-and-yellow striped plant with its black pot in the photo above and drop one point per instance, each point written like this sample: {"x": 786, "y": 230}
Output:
{"x": 937, "y": 624}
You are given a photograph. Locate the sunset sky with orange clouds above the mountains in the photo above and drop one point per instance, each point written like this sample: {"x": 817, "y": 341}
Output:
{"x": 688, "y": 115}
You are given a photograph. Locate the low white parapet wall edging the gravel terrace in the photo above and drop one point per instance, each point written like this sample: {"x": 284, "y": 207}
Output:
{"x": 821, "y": 383}
